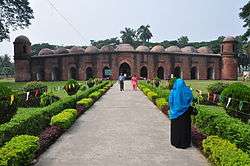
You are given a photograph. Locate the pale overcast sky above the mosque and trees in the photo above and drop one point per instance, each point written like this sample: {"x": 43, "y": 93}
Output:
{"x": 200, "y": 20}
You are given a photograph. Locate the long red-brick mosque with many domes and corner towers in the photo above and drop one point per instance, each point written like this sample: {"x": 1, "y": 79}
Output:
{"x": 109, "y": 62}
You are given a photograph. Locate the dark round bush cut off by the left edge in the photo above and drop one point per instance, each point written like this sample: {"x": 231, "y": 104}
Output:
{"x": 7, "y": 109}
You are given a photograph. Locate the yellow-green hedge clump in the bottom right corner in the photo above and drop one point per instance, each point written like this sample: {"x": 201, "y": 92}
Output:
{"x": 221, "y": 152}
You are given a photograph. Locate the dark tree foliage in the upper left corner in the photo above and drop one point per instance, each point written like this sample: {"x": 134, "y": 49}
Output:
{"x": 14, "y": 14}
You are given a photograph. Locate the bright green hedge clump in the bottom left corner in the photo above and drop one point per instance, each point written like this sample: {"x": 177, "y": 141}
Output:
{"x": 19, "y": 150}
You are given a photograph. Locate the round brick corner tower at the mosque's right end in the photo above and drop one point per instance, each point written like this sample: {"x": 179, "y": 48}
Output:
{"x": 229, "y": 70}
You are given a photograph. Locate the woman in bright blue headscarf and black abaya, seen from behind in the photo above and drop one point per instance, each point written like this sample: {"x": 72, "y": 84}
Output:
{"x": 179, "y": 101}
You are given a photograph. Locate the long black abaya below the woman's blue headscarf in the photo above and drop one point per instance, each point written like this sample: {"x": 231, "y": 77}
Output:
{"x": 181, "y": 131}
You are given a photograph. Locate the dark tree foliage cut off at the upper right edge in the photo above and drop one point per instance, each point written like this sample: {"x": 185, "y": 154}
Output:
{"x": 245, "y": 15}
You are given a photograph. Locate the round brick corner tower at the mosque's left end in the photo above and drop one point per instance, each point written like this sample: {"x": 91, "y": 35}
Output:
{"x": 22, "y": 53}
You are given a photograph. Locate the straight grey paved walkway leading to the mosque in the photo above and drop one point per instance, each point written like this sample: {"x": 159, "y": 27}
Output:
{"x": 121, "y": 129}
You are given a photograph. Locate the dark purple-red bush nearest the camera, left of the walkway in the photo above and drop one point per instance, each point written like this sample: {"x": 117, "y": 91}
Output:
{"x": 48, "y": 137}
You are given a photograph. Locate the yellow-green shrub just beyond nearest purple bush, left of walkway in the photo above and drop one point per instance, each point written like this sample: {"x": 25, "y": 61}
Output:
{"x": 64, "y": 119}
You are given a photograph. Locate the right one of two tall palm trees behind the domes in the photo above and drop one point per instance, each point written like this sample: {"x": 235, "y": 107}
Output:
{"x": 144, "y": 33}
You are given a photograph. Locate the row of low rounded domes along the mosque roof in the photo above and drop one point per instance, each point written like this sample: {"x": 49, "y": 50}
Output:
{"x": 125, "y": 48}
